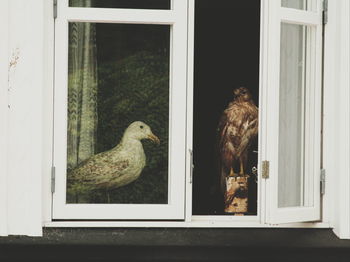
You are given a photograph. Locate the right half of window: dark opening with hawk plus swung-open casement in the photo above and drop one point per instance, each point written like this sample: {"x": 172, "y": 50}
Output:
{"x": 284, "y": 82}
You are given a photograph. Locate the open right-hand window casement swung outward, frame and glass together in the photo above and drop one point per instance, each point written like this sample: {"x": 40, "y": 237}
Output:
{"x": 293, "y": 111}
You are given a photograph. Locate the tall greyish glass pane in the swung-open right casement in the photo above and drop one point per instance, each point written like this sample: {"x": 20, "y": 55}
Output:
{"x": 291, "y": 116}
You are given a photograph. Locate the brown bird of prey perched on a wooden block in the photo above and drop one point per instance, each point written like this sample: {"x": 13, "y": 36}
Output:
{"x": 237, "y": 128}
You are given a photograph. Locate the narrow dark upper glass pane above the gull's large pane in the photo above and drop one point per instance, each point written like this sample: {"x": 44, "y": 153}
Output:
{"x": 132, "y": 4}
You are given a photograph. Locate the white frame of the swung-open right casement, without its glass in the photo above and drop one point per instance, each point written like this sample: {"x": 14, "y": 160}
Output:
{"x": 313, "y": 89}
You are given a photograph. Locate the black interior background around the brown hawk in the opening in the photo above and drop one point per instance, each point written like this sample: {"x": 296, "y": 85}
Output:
{"x": 227, "y": 40}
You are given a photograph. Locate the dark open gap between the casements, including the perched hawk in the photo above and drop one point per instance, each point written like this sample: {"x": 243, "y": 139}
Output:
{"x": 226, "y": 58}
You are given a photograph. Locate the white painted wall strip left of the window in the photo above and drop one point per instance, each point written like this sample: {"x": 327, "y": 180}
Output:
{"x": 23, "y": 86}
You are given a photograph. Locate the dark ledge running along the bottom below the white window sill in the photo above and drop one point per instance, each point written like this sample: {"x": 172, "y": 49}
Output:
{"x": 173, "y": 244}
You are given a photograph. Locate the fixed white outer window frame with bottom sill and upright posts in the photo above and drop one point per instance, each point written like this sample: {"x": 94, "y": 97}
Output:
{"x": 190, "y": 221}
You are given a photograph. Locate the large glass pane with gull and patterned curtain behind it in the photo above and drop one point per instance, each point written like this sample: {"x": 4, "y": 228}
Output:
{"x": 118, "y": 113}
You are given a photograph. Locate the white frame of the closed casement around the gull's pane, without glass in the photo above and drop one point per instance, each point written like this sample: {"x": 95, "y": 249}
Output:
{"x": 176, "y": 18}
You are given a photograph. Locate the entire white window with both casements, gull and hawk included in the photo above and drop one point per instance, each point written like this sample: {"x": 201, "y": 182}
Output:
{"x": 145, "y": 90}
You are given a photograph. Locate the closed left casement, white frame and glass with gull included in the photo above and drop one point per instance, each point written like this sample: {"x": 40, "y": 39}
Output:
{"x": 120, "y": 77}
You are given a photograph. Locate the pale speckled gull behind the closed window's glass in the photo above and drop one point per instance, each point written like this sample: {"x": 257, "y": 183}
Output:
{"x": 116, "y": 167}
